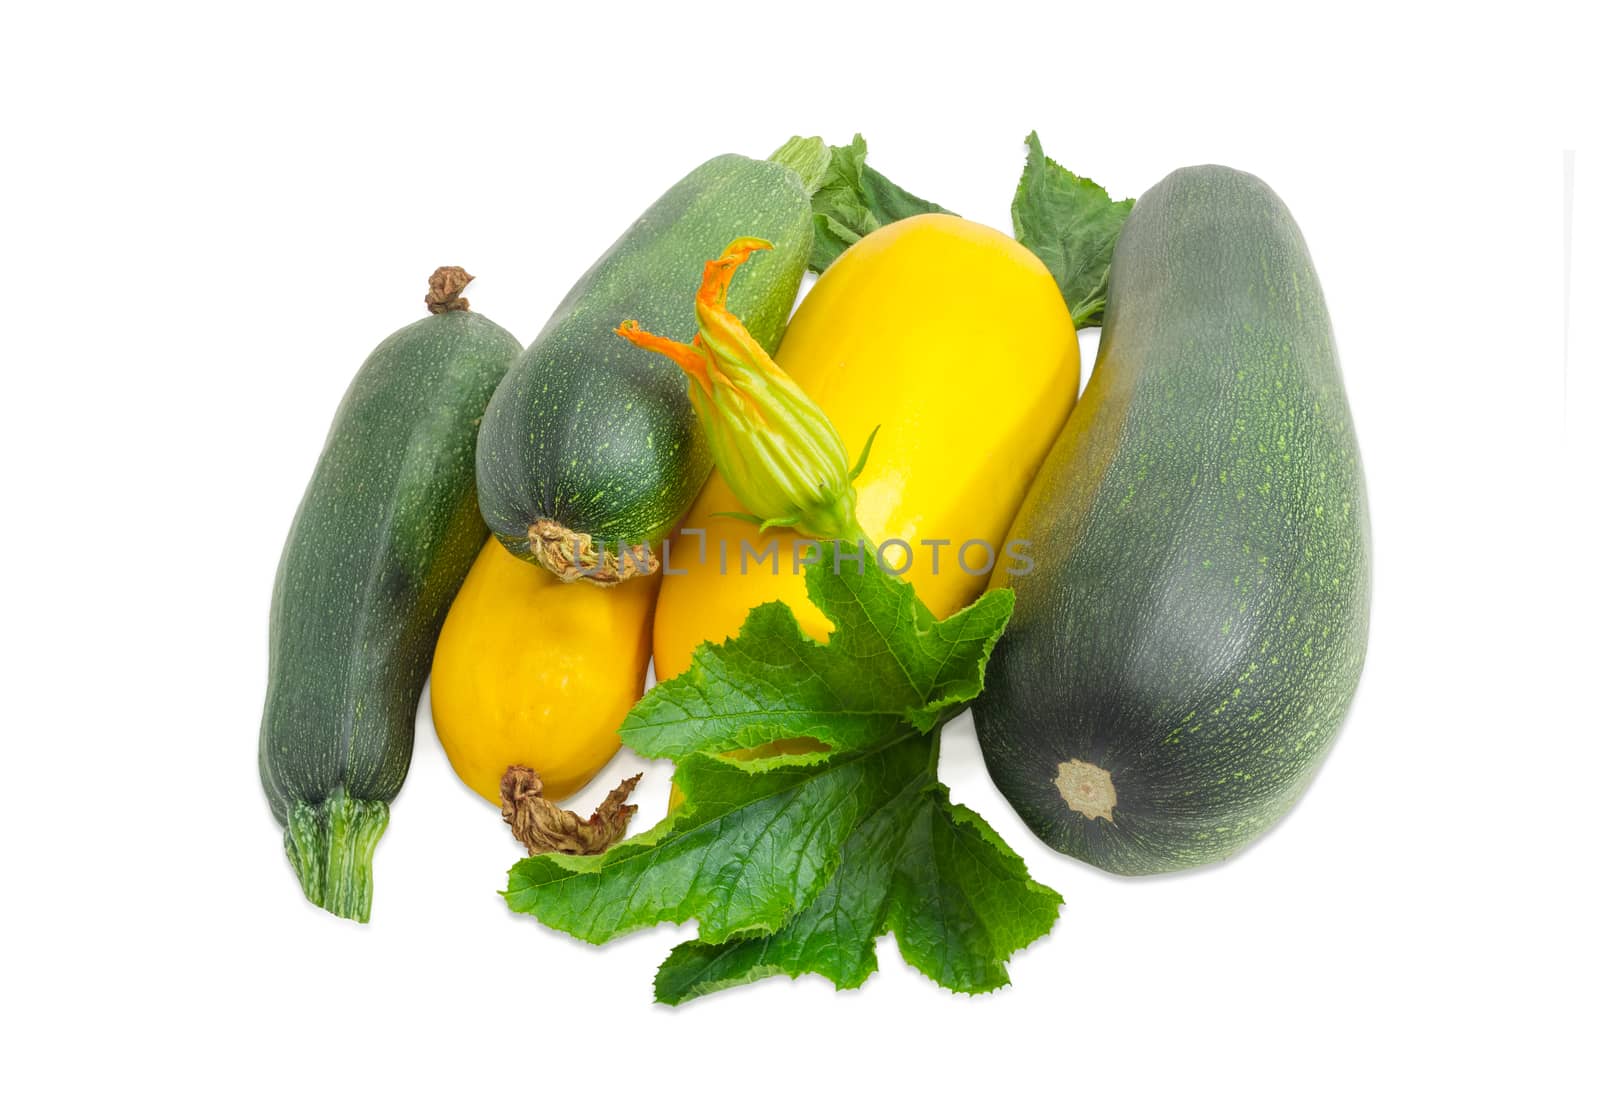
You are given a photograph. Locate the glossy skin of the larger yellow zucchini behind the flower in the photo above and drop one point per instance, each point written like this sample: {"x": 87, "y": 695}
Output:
{"x": 958, "y": 343}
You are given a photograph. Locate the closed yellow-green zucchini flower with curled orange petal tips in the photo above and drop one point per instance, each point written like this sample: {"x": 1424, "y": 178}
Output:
{"x": 772, "y": 442}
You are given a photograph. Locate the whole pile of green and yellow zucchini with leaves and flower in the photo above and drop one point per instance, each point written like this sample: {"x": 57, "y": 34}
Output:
{"x": 833, "y": 533}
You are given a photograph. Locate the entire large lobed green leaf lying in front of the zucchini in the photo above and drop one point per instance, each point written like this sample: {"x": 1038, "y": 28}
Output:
{"x": 812, "y": 820}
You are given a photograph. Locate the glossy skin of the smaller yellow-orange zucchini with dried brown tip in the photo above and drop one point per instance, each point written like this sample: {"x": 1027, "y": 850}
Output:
{"x": 537, "y": 672}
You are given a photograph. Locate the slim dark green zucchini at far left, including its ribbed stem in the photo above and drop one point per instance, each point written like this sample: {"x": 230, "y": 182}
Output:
{"x": 380, "y": 545}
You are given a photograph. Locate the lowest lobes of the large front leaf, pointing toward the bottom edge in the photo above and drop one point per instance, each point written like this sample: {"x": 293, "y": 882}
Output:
{"x": 958, "y": 900}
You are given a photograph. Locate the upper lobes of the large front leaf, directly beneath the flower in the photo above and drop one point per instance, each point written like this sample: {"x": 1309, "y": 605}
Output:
{"x": 887, "y": 664}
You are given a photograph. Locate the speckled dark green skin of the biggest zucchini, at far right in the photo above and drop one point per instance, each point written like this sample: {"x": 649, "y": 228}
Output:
{"x": 1198, "y": 618}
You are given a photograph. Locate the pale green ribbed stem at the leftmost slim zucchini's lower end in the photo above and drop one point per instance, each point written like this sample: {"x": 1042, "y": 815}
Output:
{"x": 332, "y": 847}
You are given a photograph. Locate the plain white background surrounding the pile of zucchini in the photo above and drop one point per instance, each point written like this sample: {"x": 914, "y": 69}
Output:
{"x": 214, "y": 213}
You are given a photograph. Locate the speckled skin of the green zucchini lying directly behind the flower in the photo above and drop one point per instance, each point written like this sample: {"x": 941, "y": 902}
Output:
{"x": 599, "y": 436}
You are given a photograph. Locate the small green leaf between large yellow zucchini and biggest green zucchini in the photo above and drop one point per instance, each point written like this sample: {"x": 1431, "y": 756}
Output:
{"x": 1071, "y": 225}
